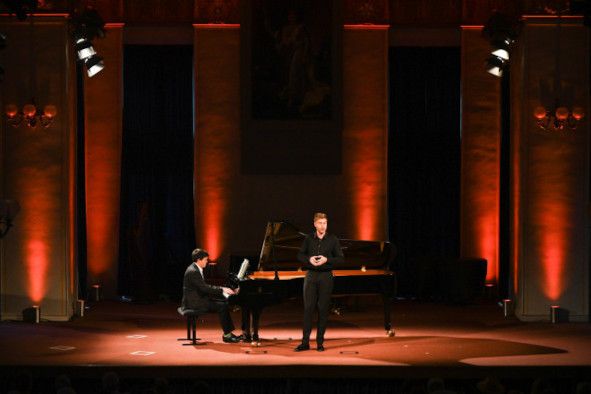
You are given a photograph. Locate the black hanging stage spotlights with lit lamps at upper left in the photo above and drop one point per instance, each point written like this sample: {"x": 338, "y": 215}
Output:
{"x": 86, "y": 26}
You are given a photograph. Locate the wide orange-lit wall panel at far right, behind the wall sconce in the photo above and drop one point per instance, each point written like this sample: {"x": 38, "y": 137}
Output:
{"x": 553, "y": 177}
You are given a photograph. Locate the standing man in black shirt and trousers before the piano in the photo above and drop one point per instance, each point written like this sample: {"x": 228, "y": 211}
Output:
{"x": 319, "y": 252}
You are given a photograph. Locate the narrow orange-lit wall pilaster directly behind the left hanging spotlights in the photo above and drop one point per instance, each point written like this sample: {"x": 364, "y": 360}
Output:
{"x": 103, "y": 114}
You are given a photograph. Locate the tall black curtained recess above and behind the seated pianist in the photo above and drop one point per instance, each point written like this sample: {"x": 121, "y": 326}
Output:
{"x": 157, "y": 222}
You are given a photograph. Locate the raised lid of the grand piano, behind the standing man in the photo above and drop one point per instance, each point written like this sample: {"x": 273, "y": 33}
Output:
{"x": 283, "y": 241}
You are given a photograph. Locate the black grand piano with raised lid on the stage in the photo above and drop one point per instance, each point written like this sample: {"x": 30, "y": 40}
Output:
{"x": 279, "y": 275}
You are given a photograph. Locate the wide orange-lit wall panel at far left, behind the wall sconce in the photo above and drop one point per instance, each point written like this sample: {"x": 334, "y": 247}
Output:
{"x": 36, "y": 254}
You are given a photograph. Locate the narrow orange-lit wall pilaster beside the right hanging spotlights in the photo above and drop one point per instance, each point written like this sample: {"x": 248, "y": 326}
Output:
{"x": 481, "y": 136}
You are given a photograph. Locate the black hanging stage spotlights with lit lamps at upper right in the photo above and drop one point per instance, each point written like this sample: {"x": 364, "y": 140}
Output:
{"x": 501, "y": 30}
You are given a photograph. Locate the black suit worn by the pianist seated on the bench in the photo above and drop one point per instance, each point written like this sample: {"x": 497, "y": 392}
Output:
{"x": 200, "y": 296}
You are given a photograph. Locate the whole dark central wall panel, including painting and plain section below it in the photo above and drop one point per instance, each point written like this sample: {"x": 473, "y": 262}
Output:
{"x": 290, "y": 84}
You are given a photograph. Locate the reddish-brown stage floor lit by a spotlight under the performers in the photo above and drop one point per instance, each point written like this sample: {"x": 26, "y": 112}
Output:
{"x": 431, "y": 338}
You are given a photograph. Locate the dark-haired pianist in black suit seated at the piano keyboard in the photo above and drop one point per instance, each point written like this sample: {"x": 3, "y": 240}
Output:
{"x": 200, "y": 296}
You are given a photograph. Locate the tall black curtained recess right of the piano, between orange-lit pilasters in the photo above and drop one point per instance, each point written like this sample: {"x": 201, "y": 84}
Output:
{"x": 424, "y": 163}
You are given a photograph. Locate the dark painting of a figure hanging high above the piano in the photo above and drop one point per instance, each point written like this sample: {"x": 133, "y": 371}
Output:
{"x": 292, "y": 67}
